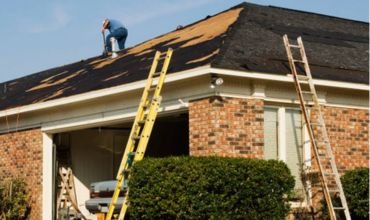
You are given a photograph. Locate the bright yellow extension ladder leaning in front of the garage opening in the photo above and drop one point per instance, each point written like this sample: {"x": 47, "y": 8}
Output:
{"x": 141, "y": 130}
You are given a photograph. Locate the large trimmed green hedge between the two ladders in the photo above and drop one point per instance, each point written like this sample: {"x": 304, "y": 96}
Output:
{"x": 209, "y": 188}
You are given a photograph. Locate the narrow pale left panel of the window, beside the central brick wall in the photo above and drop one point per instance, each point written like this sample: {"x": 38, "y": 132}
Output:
{"x": 270, "y": 133}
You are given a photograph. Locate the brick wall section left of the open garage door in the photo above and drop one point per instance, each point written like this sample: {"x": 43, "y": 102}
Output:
{"x": 21, "y": 156}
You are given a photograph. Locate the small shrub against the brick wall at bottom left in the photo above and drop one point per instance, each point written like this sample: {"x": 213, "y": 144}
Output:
{"x": 13, "y": 200}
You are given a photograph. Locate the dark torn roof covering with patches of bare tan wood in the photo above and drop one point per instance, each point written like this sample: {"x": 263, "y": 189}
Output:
{"x": 247, "y": 37}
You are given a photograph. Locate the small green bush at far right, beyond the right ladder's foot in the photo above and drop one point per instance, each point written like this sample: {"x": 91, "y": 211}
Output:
{"x": 356, "y": 189}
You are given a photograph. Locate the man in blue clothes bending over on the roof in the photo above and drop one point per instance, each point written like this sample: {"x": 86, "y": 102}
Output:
{"x": 116, "y": 30}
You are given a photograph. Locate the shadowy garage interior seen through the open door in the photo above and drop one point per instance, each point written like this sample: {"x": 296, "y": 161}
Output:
{"x": 94, "y": 154}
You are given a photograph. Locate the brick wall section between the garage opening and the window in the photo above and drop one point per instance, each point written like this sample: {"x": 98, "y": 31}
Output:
{"x": 226, "y": 127}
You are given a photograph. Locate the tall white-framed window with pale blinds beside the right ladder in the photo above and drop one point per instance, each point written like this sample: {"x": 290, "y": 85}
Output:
{"x": 284, "y": 140}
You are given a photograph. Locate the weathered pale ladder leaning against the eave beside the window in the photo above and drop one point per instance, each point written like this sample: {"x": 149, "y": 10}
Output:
{"x": 327, "y": 168}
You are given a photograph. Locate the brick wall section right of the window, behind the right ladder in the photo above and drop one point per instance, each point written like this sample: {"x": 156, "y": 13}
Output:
{"x": 349, "y": 138}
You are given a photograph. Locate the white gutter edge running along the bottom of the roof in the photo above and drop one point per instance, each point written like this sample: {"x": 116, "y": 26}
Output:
{"x": 200, "y": 71}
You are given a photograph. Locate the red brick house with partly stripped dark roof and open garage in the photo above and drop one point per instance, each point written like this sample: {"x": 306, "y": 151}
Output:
{"x": 80, "y": 114}
